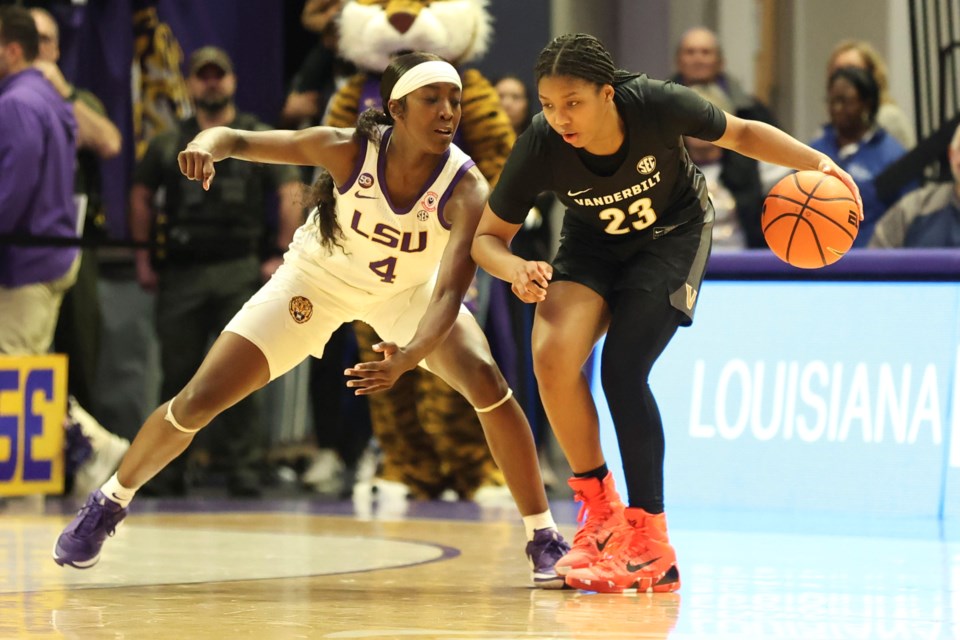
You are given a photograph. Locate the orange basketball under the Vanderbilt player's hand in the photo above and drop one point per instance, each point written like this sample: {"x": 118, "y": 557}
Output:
{"x": 810, "y": 219}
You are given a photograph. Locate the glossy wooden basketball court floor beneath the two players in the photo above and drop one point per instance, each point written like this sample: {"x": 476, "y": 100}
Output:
{"x": 308, "y": 569}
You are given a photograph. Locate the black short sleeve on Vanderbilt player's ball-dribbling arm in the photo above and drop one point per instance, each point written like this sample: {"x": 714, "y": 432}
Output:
{"x": 682, "y": 112}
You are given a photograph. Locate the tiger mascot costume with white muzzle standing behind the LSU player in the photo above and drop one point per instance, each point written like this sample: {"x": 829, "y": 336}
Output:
{"x": 429, "y": 434}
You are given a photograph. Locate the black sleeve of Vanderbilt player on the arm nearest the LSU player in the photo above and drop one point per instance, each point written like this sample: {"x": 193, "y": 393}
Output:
{"x": 522, "y": 179}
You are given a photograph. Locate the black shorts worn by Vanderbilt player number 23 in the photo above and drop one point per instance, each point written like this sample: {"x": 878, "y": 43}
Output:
{"x": 669, "y": 260}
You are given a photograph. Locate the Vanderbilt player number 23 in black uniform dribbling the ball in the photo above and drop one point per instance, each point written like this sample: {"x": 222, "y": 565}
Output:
{"x": 633, "y": 250}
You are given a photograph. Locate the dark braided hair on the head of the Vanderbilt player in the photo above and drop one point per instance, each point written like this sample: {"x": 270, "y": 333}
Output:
{"x": 579, "y": 55}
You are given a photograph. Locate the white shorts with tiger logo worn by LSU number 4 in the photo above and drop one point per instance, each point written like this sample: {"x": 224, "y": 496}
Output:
{"x": 293, "y": 315}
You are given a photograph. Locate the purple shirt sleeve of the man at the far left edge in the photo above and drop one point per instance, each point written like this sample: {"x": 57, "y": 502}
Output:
{"x": 21, "y": 154}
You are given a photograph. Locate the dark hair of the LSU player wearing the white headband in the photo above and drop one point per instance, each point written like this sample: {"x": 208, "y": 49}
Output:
{"x": 331, "y": 235}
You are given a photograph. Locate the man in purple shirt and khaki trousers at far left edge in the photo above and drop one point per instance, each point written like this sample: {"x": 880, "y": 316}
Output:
{"x": 37, "y": 154}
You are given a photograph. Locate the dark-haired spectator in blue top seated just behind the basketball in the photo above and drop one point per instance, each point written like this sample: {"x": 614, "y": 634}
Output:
{"x": 855, "y": 142}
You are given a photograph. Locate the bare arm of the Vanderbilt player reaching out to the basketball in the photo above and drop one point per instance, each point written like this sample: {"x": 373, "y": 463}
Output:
{"x": 761, "y": 141}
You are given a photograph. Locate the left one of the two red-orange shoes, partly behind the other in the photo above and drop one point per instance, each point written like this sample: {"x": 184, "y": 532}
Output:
{"x": 601, "y": 514}
